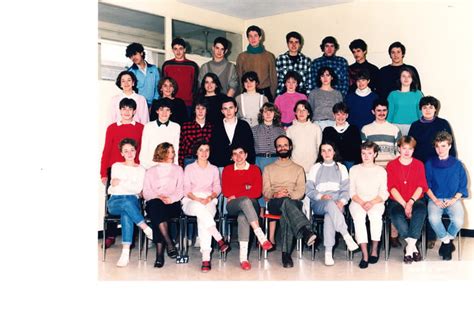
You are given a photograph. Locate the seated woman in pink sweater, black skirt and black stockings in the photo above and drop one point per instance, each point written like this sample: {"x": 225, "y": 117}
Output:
{"x": 163, "y": 190}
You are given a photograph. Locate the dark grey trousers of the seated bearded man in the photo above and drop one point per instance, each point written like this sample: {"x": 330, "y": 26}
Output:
{"x": 292, "y": 219}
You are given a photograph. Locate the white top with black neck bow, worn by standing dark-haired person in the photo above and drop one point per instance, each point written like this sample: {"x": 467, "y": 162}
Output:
{"x": 153, "y": 136}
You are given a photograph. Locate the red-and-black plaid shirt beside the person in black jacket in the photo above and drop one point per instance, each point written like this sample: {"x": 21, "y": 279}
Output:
{"x": 192, "y": 132}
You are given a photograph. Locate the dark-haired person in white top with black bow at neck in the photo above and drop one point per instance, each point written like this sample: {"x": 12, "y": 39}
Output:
{"x": 157, "y": 132}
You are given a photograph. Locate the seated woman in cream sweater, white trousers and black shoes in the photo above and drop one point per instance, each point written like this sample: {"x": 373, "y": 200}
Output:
{"x": 368, "y": 191}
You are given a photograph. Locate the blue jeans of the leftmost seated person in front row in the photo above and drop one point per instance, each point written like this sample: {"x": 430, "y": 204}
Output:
{"x": 128, "y": 208}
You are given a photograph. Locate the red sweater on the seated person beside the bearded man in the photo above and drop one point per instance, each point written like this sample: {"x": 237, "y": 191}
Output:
{"x": 234, "y": 182}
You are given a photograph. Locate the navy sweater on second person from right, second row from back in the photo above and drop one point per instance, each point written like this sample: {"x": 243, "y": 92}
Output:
{"x": 360, "y": 109}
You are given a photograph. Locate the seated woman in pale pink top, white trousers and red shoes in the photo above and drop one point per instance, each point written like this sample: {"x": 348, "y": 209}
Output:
{"x": 202, "y": 185}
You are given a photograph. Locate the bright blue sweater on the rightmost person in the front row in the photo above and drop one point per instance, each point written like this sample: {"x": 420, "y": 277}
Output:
{"x": 447, "y": 177}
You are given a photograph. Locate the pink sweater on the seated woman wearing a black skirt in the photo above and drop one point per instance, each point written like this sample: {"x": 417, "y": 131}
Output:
{"x": 163, "y": 179}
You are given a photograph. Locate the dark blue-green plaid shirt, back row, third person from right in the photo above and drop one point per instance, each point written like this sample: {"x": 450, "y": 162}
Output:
{"x": 339, "y": 65}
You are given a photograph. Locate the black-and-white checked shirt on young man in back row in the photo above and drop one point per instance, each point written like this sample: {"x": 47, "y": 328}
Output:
{"x": 302, "y": 66}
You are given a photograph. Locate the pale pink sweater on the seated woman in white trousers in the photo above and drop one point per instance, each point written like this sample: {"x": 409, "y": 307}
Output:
{"x": 201, "y": 180}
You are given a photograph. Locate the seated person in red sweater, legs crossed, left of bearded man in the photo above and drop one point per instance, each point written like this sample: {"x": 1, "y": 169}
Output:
{"x": 242, "y": 186}
